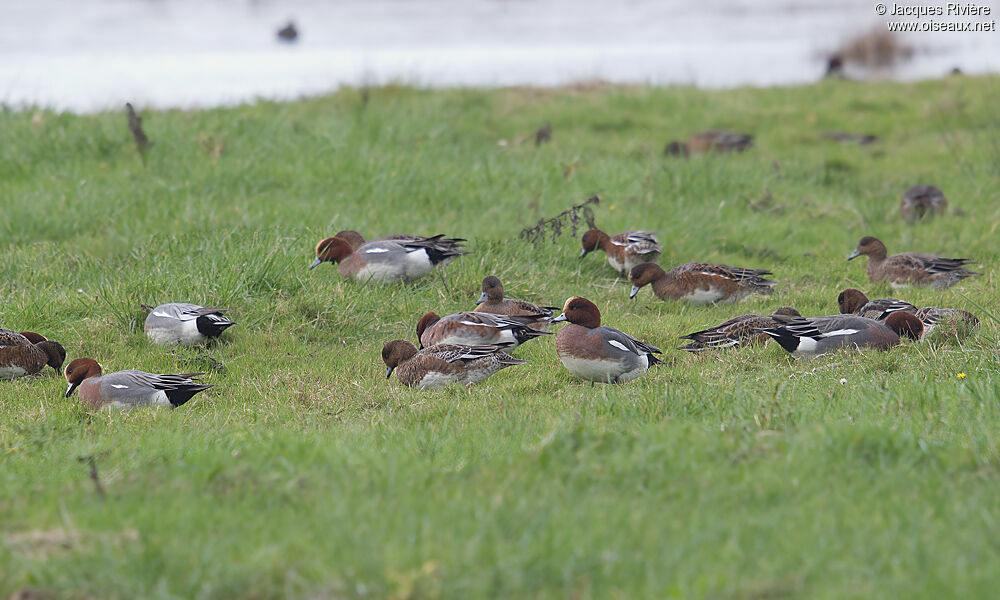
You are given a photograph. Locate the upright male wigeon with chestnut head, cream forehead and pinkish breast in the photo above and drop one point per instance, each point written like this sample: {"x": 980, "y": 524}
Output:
{"x": 598, "y": 353}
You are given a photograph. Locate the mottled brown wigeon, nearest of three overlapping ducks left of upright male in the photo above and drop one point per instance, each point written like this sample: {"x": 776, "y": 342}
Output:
{"x": 444, "y": 364}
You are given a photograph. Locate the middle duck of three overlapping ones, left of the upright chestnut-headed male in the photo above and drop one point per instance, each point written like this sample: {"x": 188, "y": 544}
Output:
{"x": 475, "y": 329}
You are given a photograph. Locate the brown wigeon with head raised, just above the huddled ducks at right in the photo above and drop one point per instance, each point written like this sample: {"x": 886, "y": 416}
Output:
{"x": 910, "y": 267}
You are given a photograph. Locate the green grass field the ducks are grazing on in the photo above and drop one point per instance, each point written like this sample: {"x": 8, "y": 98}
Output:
{"x": 304, "y": 473}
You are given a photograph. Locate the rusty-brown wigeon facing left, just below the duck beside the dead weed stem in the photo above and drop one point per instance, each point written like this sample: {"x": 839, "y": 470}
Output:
{"x": 701, "y": 283}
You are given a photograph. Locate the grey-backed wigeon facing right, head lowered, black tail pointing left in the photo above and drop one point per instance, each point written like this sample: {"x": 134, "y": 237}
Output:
{"x": 820, "y": 335}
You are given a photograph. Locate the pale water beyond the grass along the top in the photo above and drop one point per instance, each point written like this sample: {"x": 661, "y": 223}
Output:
{"x": 94, "y": 55}
